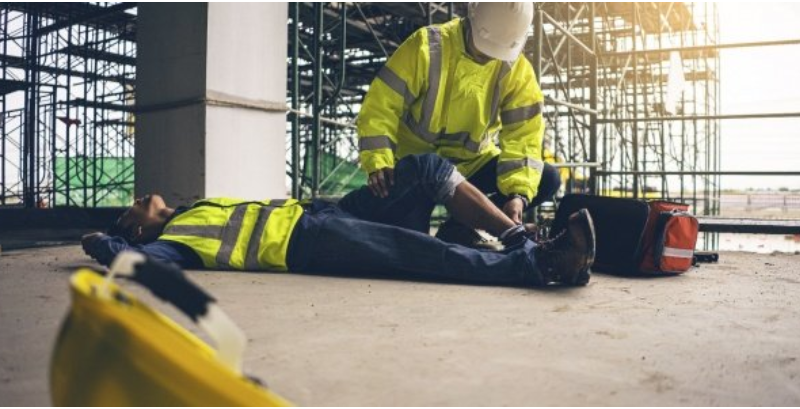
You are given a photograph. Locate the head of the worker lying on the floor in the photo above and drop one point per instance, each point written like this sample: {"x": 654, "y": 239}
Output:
{"x": 143, "y": 222}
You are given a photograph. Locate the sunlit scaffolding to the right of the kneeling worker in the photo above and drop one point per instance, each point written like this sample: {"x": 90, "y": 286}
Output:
{"x": 644, "y": 119}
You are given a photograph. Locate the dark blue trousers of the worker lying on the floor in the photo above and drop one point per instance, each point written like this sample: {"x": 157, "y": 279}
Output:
{"x": 373, "y": 235}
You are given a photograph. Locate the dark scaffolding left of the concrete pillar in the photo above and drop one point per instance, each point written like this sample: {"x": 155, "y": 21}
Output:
{"x": 66, "y": 93}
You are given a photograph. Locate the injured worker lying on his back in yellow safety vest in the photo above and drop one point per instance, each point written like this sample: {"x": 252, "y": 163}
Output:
{"x": 363, "y": 234}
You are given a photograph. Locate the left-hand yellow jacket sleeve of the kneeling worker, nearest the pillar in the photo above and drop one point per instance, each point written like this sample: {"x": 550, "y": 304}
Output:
{"x": 397, "y": 86}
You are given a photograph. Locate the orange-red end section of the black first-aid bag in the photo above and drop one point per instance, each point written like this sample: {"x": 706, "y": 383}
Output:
{"x": 669, "y": 239}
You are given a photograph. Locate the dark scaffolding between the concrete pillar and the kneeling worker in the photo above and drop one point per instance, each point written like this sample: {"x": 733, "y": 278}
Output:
{"x": 335, "y": 50}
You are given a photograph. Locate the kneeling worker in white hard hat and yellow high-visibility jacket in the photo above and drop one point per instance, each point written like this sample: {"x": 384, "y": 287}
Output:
{"x": 457, "y": 89}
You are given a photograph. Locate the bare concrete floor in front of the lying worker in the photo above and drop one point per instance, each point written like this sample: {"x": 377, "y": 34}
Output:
{"x": 725, "y": 334}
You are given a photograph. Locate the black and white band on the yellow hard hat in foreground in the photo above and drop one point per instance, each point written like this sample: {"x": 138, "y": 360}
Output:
{"x": 169, "y": 283}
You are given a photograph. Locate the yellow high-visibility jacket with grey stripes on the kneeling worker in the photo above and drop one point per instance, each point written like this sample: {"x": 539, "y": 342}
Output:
{"x": 431, "y": 96}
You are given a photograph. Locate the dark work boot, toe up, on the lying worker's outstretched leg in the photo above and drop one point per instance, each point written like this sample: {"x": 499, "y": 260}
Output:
{"x": 566, "y": 259}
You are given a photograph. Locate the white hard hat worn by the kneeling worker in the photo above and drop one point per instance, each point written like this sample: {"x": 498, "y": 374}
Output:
{"x": 499, "y": 30}
